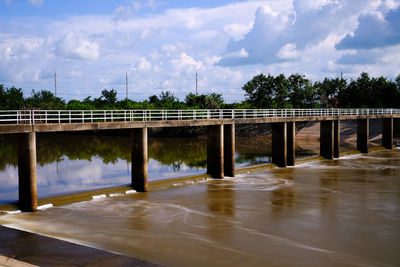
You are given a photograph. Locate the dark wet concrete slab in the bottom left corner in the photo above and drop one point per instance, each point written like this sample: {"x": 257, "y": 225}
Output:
{"x": 19, "y": 248}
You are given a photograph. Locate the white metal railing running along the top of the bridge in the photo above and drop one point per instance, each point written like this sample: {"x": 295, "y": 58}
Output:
{"x": 88, "y": 116}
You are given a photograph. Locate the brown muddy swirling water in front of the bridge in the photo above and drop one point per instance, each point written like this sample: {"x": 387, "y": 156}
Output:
{"x": 344, "y": 212}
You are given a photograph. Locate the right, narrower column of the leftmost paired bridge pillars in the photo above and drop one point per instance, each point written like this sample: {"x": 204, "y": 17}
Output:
{"x": 229, "y": 150}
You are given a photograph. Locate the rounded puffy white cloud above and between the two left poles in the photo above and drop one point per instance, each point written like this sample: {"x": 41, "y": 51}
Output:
{"x": 76, "y": 46}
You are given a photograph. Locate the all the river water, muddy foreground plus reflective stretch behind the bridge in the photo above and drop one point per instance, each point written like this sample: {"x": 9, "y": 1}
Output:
{"x": 344, "y": 212}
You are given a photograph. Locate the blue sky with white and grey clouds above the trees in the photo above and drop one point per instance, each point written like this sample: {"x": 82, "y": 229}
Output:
{"x": 161, "y": 44}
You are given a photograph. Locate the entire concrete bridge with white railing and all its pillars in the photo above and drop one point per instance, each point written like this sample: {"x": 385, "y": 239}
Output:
{"x": 220, "y": 135}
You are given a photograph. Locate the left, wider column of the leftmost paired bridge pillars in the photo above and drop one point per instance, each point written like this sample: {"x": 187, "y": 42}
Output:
{"x": 215, "y": 151}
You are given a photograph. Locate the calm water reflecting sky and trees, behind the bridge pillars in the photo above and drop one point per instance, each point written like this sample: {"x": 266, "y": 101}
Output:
{"x": 72, "y": 163}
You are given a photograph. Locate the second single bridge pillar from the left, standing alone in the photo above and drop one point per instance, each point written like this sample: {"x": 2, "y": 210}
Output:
{"x": 139, "y": 160}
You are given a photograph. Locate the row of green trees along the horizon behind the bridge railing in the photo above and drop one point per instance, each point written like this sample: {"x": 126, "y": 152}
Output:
{"x": 262, "y": 91}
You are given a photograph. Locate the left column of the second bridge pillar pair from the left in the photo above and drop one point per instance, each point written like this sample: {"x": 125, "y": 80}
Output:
{"x": 279, "y": 145}
